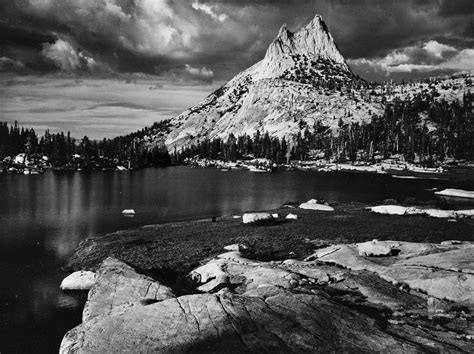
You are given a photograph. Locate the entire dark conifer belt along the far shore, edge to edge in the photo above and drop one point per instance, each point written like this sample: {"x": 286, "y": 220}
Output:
{"x": 422, "y": 129}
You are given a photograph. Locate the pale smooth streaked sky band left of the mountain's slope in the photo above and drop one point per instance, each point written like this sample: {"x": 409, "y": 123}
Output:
{"x": 94, "y": 107}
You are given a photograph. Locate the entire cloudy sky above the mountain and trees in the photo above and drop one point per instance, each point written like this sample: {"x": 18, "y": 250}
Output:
{"x": 108, "y": 67}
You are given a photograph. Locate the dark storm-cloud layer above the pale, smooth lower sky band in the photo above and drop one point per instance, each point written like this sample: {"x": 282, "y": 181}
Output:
{"x": 214, "y": 39}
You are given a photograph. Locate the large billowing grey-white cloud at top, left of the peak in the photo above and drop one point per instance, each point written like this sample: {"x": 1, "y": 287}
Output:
{"x": 161, "y": 29}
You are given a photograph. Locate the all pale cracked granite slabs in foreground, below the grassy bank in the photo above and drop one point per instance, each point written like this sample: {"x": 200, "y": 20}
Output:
{"x": 312, "y": 305}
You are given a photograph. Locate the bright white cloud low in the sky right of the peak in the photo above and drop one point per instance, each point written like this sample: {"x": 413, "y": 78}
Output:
{"x": 425, "y": 57}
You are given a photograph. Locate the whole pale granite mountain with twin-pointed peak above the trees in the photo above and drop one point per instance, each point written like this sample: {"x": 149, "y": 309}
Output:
{"x": 302, "y": 81}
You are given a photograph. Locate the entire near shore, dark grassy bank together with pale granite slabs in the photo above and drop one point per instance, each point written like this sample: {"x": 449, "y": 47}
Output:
{"x": 169, "y": 286}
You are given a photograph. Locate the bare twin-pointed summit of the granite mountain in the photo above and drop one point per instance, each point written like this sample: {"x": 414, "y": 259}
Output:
{"x": 312, "y": 42}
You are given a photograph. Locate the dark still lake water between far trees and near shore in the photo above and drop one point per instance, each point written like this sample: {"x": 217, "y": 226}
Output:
{"x": 44, "y": 217}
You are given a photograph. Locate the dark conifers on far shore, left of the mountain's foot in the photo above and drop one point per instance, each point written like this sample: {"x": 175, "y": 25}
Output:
{"x": 63, "y": 151}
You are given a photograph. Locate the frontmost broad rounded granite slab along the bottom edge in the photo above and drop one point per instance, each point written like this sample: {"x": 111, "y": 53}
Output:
{"x": 233, "y": 323}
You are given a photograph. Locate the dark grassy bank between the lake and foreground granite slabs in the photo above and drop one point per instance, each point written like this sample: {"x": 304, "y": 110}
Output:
{"x": 179, "y": 246}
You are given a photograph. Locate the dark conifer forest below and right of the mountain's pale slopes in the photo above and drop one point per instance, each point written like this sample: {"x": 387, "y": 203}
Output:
{"x": 422, "y": 130}
